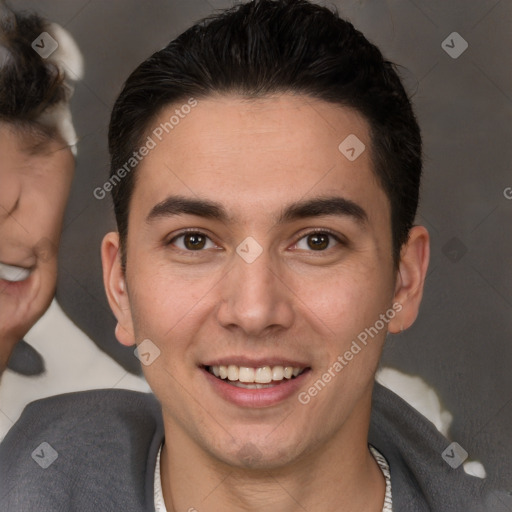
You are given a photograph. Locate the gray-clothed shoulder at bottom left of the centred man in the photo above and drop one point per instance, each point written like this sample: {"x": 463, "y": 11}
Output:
{"x": 83, "y": 451}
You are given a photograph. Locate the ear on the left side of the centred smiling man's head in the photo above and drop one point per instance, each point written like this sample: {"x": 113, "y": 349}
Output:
{"x": 115, "y": 287}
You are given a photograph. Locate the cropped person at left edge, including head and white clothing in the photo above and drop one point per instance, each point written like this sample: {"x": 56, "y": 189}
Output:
{"x": 39, "y": 61}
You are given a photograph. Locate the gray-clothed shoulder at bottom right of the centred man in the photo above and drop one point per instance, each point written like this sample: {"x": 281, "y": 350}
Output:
{"x": 421, "y": 479}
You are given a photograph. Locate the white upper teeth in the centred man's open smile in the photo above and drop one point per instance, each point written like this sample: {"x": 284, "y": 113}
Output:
{"x": 255, "y": 378}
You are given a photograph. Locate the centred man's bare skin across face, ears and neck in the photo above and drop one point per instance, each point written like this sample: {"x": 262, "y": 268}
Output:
{"x": 293, "y": 302}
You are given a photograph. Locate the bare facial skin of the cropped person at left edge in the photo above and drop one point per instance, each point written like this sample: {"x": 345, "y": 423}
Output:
{"x": 35, "y": 179}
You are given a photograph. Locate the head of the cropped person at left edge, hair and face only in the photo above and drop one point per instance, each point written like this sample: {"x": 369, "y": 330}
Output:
{"x": 37, "y": 141}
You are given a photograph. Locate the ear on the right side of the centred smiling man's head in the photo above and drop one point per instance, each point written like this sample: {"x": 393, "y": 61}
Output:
{"x": 410, "y": 279}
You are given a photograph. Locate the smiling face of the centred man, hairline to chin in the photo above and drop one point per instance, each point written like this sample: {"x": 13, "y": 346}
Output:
{"x": 280, "y": 279}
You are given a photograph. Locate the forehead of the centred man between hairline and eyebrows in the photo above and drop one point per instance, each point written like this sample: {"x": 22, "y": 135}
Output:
{"x": 263, "y": 151}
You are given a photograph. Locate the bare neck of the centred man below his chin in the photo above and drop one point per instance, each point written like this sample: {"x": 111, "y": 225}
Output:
{"x": 337, "y": 474}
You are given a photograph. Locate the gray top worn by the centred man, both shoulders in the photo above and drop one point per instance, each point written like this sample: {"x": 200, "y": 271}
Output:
{"x": 95, "y": 451}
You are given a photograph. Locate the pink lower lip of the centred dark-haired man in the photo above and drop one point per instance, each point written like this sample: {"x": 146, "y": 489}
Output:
{"x": 264, "y": 397}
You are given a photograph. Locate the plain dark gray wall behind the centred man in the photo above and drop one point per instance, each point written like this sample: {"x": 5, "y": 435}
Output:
{"x": 461, "y": 344}
